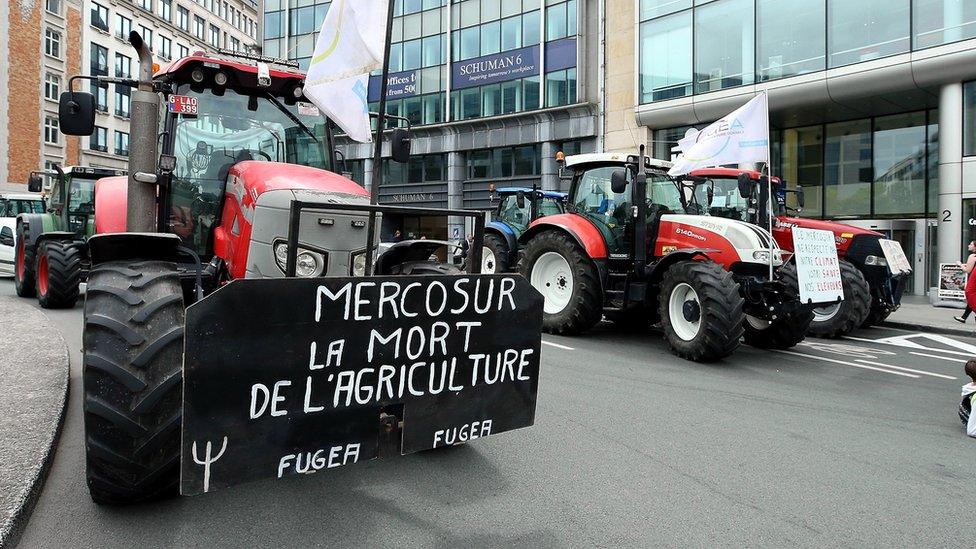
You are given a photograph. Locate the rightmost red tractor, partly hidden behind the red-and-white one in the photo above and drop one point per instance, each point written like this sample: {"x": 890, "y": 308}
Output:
{"x": 872, "y": 290}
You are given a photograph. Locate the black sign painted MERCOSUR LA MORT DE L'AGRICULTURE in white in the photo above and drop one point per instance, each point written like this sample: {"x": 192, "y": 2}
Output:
{"x": 289, "y": 376}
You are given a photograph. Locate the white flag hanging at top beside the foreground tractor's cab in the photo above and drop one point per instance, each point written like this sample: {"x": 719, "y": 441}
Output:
{"x": 350, "y": 45}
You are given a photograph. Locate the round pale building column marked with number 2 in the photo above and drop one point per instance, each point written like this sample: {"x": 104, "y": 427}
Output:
{"x": 950, "y": 174}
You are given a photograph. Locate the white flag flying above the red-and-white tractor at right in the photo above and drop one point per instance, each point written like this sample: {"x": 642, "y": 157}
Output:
{"x": 739, "y": 137}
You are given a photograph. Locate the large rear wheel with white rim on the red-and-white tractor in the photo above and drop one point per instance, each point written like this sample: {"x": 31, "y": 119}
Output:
{"x": 579, "y": 286}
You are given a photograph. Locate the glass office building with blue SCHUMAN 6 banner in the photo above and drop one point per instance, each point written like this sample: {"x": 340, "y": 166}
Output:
{"x": 492, "y": 90}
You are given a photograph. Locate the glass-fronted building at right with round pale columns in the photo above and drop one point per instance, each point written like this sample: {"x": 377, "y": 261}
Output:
{"x": 872, "y": 103}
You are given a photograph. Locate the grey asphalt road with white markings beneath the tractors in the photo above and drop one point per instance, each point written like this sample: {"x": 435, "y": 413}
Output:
{"x": 853, "y": 442}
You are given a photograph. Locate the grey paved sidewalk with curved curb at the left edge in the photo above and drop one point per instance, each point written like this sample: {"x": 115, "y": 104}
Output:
{"x": 33, "y": 394}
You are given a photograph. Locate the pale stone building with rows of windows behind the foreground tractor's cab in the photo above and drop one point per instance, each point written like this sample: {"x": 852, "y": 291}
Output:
{"x": 174, "y": 29}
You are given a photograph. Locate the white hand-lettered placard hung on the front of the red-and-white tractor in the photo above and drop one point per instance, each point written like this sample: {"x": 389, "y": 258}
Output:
{"x": 817, "y": 267}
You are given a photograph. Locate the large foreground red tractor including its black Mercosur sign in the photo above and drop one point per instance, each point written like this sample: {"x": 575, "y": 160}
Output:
{"x": 244, "y": 200}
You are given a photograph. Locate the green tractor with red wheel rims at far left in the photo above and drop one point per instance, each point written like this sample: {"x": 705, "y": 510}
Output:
{"x": 51, "y": 257}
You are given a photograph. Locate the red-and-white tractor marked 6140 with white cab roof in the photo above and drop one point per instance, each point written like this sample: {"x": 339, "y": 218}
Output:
{"x": 626, "y": 250}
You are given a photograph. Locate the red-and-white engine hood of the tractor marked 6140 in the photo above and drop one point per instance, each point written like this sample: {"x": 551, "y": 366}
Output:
{"x": 734, "y": 241}
